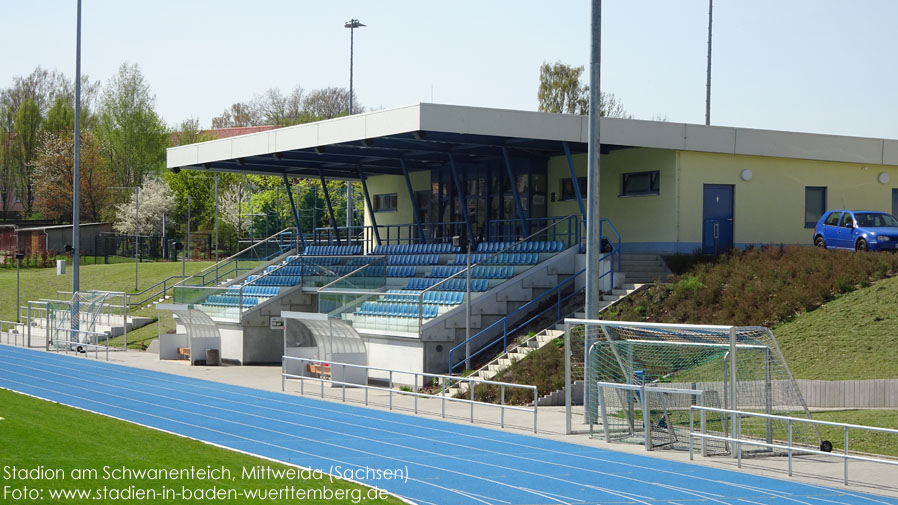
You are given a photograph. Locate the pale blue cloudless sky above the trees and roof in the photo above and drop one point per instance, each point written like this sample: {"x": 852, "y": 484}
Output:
{"x": 820, "y": 66}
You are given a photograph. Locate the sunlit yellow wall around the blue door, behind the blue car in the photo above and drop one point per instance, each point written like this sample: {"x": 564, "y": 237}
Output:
{"x": 770, "y": 207}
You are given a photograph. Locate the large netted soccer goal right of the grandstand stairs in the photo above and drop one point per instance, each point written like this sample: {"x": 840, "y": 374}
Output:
{"x": 641, "y": 379}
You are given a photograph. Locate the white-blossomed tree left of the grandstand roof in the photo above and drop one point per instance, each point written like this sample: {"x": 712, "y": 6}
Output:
{"x": 156, "y": 199}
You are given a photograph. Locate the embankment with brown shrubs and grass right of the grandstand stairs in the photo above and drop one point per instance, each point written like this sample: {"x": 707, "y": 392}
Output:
{"x": 831, "y": 311}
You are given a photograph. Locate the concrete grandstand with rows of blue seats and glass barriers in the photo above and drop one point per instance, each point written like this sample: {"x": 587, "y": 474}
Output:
{"x": 406, "y": 302}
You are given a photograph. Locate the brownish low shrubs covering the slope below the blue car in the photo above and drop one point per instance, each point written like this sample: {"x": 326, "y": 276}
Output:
{"x": 757, "y": 286}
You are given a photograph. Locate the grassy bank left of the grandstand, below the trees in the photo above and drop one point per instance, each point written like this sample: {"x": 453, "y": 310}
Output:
{"x": 44, "y": 283}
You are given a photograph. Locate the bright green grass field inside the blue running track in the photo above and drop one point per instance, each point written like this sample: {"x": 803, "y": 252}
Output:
{"x": 36, "y": 433}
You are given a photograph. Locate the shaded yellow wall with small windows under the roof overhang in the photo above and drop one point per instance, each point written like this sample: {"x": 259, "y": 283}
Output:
{"x": 650, "y": 218}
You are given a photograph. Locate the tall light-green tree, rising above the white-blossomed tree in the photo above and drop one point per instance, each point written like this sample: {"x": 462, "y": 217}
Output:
{"x": 132, "y": 135}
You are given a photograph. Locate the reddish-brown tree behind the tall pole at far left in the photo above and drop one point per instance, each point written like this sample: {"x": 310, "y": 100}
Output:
{"x": 54, "y": 178}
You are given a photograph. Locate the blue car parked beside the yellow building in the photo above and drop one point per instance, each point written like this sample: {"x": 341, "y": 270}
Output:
{"x": 858, "y": 230}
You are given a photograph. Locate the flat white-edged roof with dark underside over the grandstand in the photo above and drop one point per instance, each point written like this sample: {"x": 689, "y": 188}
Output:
{"x": 423, "y": 135}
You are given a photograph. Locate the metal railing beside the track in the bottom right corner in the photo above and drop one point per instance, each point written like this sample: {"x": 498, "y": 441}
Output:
{"x": 788, "y": 446}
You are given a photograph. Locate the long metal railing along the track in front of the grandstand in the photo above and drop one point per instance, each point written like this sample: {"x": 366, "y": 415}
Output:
{"x": 420, "y": 378}
